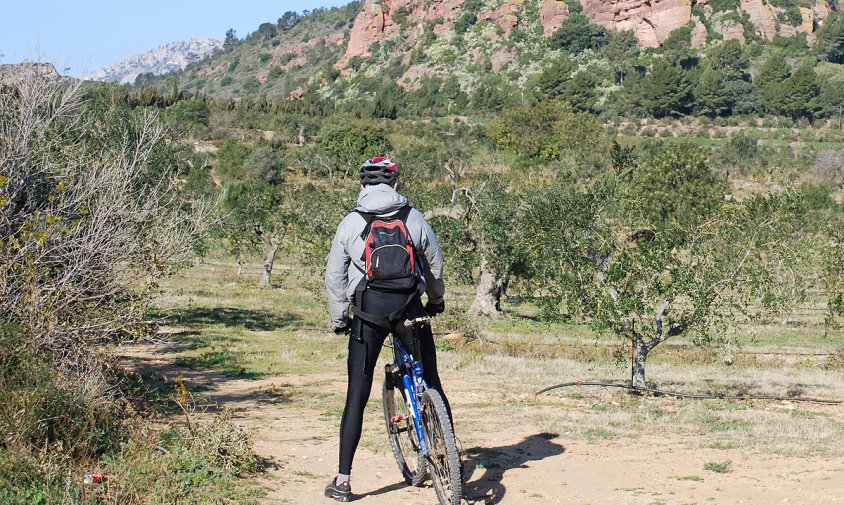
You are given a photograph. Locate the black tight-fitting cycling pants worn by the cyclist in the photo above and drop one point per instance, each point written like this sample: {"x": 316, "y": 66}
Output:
{"x": 363, "y": 357}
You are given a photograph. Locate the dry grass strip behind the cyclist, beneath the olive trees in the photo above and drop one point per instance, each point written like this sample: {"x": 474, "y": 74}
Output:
{"x": 491, "y": 381}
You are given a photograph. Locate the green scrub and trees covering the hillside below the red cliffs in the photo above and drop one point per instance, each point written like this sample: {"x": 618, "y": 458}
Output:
{"x": 467, "y": 63}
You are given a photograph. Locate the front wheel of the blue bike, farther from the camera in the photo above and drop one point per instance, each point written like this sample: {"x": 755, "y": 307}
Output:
{"x": 403, "y": 440}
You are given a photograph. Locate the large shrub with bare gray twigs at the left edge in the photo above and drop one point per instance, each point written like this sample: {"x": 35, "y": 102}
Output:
{"x": 88, "y": 220}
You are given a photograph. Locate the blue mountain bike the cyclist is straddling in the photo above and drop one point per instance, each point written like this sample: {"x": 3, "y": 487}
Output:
{"x": 418, "y": 425}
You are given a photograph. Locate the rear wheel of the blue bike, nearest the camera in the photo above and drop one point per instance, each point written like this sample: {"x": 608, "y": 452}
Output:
{"x": 444, "y": 460}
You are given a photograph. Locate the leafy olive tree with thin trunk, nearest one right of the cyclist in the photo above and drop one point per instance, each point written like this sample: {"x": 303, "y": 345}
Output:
{"x": 658, "y": 254}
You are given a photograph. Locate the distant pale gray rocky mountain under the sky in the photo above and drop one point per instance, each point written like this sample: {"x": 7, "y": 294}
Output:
{"x": 161, "y": 60}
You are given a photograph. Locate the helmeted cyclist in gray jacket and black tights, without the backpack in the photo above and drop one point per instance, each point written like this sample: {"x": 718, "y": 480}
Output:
{"x": 377, "y": 310}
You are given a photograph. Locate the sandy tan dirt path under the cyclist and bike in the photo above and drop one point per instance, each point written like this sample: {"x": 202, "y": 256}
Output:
{"x": 510, "y": 462}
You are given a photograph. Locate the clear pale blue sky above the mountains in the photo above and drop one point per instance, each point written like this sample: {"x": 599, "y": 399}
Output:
{"x": 86, "y": 35}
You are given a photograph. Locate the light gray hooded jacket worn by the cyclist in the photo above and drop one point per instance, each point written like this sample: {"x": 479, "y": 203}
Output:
{"x": 345, "y": 267}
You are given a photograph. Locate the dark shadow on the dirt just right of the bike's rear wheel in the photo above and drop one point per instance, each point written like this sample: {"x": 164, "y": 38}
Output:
{"x": 494, "y": 462}
